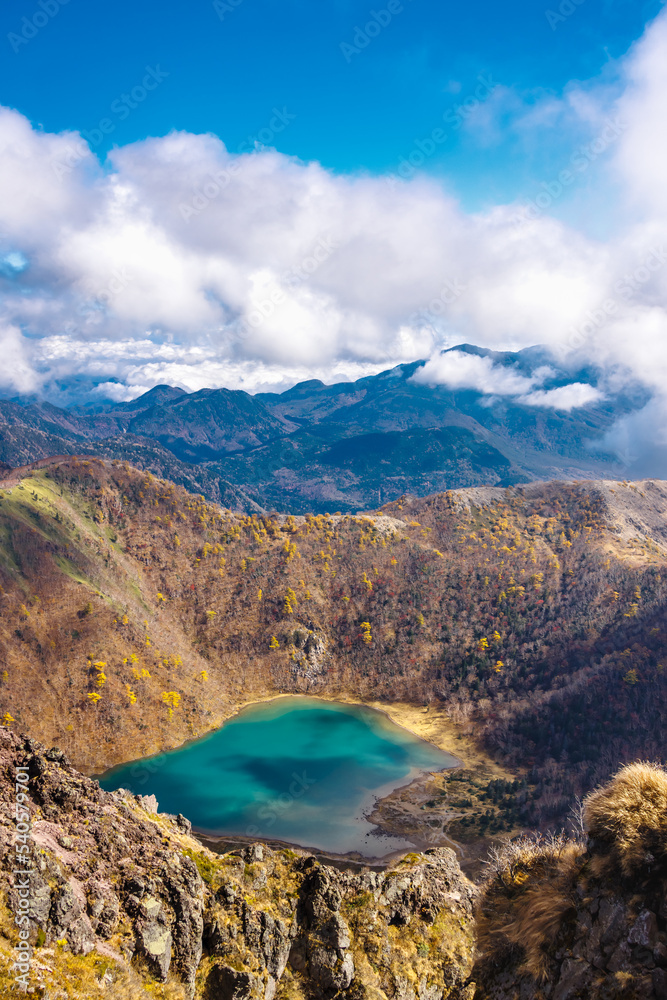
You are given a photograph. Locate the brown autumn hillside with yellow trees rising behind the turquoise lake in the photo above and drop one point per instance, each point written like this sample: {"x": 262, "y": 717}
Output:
{"x": 134, "y": 615}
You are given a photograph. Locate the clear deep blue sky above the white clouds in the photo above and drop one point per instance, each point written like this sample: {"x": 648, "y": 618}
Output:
{"x": 229, "y": 67}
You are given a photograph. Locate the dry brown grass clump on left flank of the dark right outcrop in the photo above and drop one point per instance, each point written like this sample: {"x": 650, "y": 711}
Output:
{"x": 527, "y": 896}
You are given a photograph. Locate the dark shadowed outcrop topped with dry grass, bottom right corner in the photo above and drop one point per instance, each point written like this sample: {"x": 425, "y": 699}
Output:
{"x": 561, "y": 920}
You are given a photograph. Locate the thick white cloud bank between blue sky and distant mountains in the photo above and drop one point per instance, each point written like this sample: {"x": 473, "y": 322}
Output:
{"x": 179, "y": 262}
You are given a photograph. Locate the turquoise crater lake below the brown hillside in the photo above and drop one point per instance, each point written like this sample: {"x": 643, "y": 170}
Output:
{"x": 293, "y": 769}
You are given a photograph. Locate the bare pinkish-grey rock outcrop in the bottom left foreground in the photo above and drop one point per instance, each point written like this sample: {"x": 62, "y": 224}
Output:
{"x": 103, "y": 871}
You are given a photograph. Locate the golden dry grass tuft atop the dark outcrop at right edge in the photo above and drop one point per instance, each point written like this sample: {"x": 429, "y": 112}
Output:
{"x": 627, "y": 819}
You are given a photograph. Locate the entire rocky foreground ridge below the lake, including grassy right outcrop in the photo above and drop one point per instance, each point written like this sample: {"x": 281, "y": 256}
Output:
{"x": 124, "y": 903}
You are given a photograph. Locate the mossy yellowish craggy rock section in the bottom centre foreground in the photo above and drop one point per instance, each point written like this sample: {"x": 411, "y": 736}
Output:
{"x": 405, "y": 933}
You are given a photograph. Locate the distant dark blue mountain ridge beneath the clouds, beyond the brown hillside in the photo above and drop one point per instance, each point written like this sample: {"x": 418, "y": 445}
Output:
{"x": 346, "y": 446}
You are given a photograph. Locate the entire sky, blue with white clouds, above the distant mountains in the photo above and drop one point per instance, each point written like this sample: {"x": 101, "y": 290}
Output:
{"x": 255, "y": 192}
